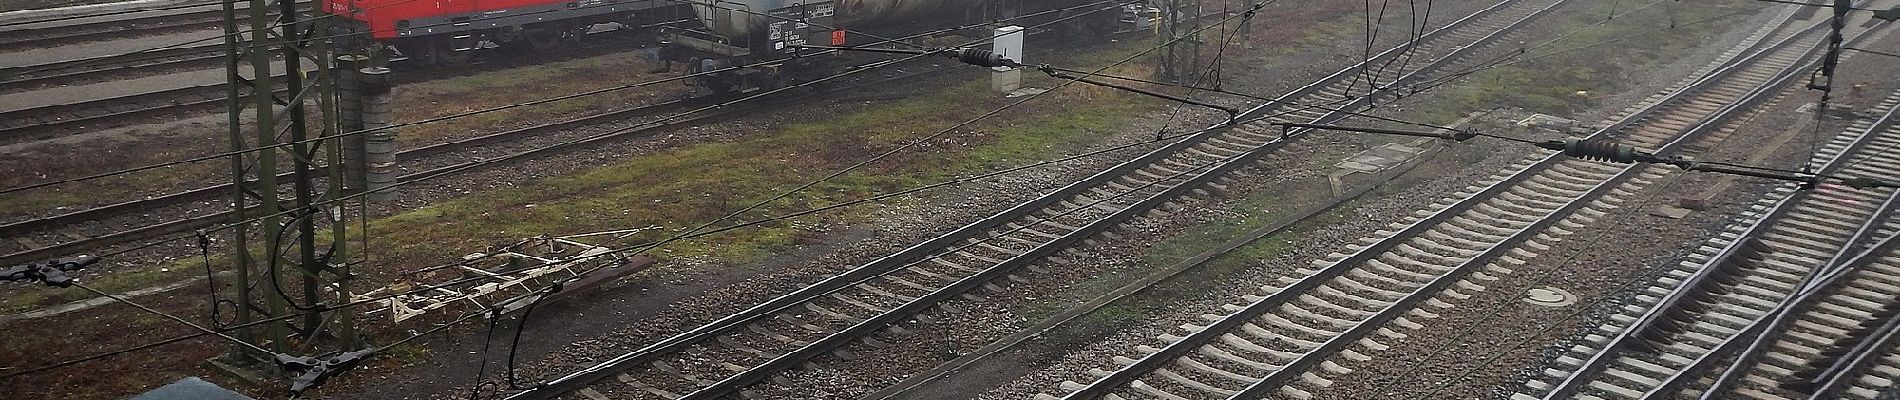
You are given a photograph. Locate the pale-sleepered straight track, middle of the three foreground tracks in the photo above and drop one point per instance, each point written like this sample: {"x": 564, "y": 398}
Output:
{"x": 1325, "y": 319}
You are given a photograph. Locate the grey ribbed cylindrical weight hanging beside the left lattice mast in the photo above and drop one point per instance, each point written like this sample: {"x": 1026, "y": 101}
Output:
{"x": 379, "y": 147}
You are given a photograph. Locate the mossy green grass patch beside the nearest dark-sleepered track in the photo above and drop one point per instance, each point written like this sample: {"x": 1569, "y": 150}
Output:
{"x": 687, "y": 187}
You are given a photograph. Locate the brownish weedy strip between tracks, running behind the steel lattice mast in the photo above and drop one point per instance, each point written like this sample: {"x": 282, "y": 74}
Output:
{"x": 419, "y": 101}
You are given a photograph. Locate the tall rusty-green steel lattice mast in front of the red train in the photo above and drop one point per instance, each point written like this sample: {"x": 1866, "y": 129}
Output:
{"x": 295, "y": 257}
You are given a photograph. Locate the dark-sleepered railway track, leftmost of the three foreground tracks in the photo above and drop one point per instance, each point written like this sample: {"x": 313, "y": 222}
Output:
{"x": 750, "y": 348}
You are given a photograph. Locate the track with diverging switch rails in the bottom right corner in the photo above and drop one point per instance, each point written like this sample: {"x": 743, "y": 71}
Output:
{"x": 1793, "y": 302}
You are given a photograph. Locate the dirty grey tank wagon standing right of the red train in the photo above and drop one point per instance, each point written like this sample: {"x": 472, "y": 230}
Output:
{"x": 761, "y": 37}
